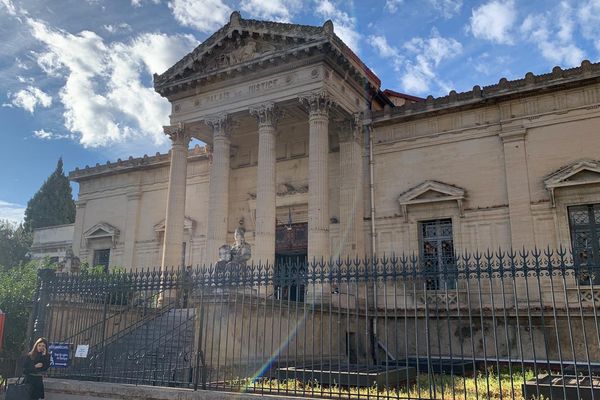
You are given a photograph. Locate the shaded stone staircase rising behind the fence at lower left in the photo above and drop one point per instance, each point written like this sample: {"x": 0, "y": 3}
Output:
{"x": 158, "y": 352}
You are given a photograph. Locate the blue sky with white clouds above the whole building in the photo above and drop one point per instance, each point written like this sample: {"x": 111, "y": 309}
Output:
{"x": 76, "y": 75}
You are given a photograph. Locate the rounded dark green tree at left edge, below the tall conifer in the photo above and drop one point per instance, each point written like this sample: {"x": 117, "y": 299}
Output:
{"x": 15, "y": 241}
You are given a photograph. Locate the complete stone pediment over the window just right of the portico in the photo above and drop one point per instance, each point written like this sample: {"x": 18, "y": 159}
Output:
{"x": 431, "y": 192}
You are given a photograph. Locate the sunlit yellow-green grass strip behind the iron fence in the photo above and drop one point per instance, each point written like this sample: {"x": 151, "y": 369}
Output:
{"x": 483, "y": 386}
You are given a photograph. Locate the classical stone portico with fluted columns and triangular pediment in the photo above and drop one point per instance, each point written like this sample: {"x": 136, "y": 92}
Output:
{"x": 258, "y": 94}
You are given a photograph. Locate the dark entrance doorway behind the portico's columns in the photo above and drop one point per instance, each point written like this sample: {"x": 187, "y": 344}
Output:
{"x": 290, "y": 261}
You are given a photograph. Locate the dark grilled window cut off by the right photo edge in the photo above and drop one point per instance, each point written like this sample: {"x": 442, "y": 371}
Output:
{"x": 584, "y": 222}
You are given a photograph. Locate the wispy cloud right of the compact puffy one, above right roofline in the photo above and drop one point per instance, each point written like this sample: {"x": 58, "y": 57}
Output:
{"x": 553, "y": 35}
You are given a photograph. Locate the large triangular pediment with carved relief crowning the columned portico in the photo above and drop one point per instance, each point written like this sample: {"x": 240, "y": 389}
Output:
{"x": 244, "y": 45}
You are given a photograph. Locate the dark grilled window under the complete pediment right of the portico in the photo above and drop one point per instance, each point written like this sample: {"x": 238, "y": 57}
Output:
{"x": 437, "y": 254}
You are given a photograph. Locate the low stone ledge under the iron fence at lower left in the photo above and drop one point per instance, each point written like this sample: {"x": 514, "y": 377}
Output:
{"x": 60, "y": 389}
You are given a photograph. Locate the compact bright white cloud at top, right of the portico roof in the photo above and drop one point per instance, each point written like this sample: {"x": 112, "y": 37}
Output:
{"x": 494, "y": 21}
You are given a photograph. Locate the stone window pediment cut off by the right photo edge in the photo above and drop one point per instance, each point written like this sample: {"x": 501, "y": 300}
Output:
{"x": 582, "y": 172}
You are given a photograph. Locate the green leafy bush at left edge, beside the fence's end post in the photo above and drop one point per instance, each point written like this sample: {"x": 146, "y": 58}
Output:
{"x": 17, "y": 285}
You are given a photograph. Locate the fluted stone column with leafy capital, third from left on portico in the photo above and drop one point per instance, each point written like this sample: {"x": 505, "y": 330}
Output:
{"x": 267, "y": 116}
